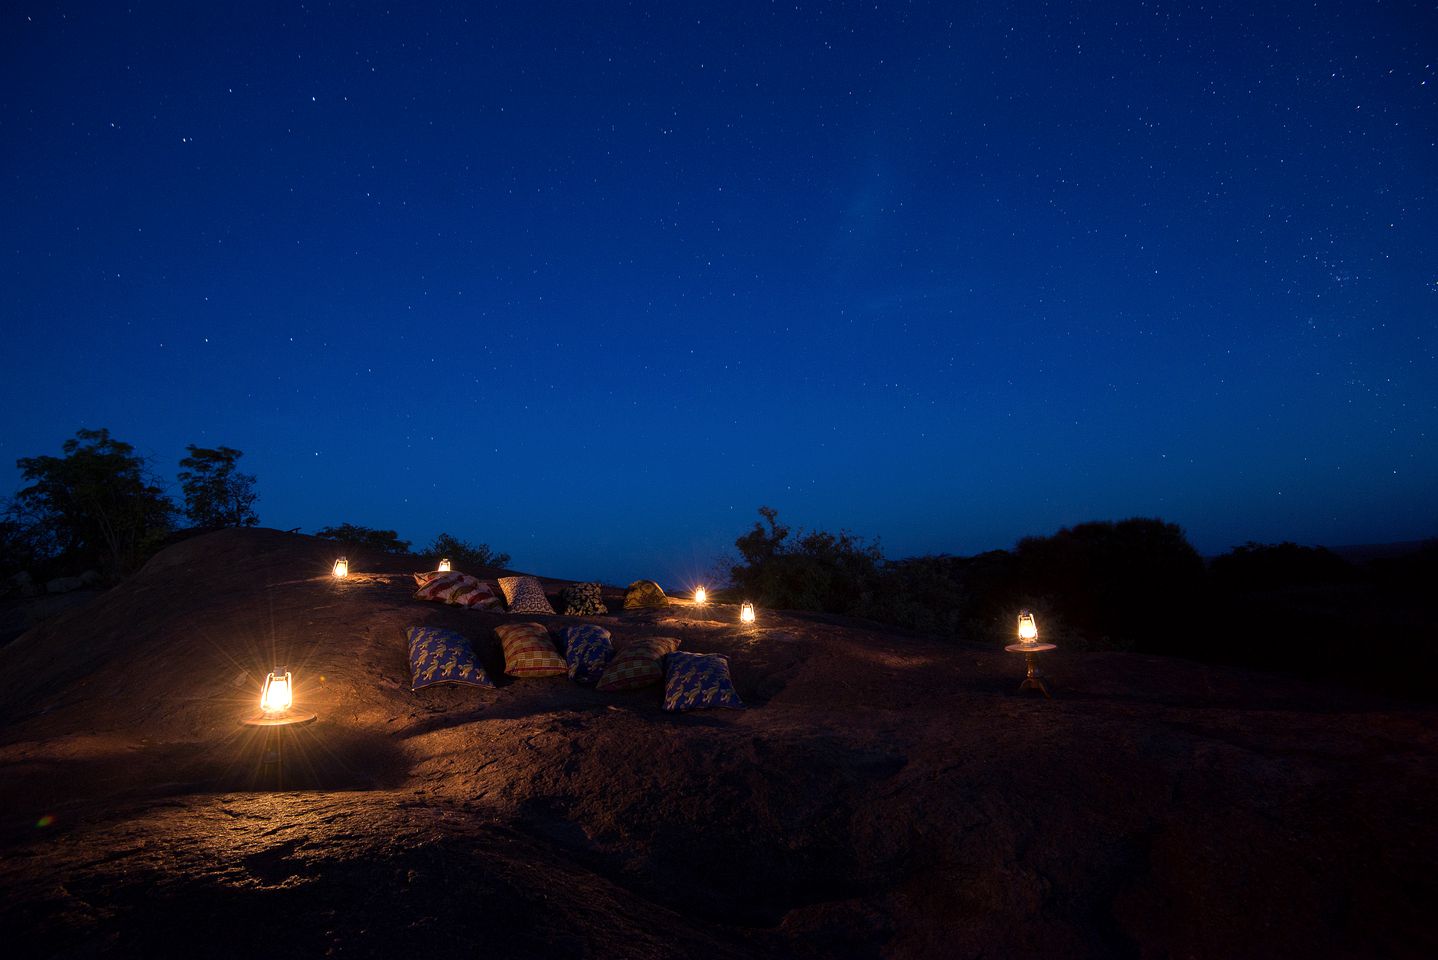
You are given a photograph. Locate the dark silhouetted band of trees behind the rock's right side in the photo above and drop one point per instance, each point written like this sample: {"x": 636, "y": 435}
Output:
{"x": 1124, "y": 586}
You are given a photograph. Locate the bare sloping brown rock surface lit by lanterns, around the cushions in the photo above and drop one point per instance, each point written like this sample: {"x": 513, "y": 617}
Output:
{"x": 884, "y": 795}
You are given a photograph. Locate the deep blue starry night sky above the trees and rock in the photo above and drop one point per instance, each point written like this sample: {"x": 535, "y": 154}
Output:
{"x": 592, "y": 282}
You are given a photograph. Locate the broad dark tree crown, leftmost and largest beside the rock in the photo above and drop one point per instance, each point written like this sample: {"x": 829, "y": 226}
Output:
{"x": 97, "y": 505}
